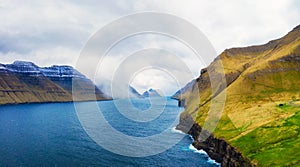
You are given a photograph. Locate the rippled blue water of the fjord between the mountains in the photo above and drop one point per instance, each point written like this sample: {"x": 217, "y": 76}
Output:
{"x": 52, "y": 135}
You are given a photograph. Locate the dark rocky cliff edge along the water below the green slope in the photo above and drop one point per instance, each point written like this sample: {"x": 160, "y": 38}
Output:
{"x": 217, "y": 148}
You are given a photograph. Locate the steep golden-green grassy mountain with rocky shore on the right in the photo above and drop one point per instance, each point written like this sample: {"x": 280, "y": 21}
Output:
{"x": 260, "y": 121}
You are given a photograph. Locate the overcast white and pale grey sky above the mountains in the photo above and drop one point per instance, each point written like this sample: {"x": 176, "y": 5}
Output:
{"x": 52, "y": 32}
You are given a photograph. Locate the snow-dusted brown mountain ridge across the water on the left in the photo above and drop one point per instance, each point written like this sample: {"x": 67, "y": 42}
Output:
{"x": 25, "y": 82}
